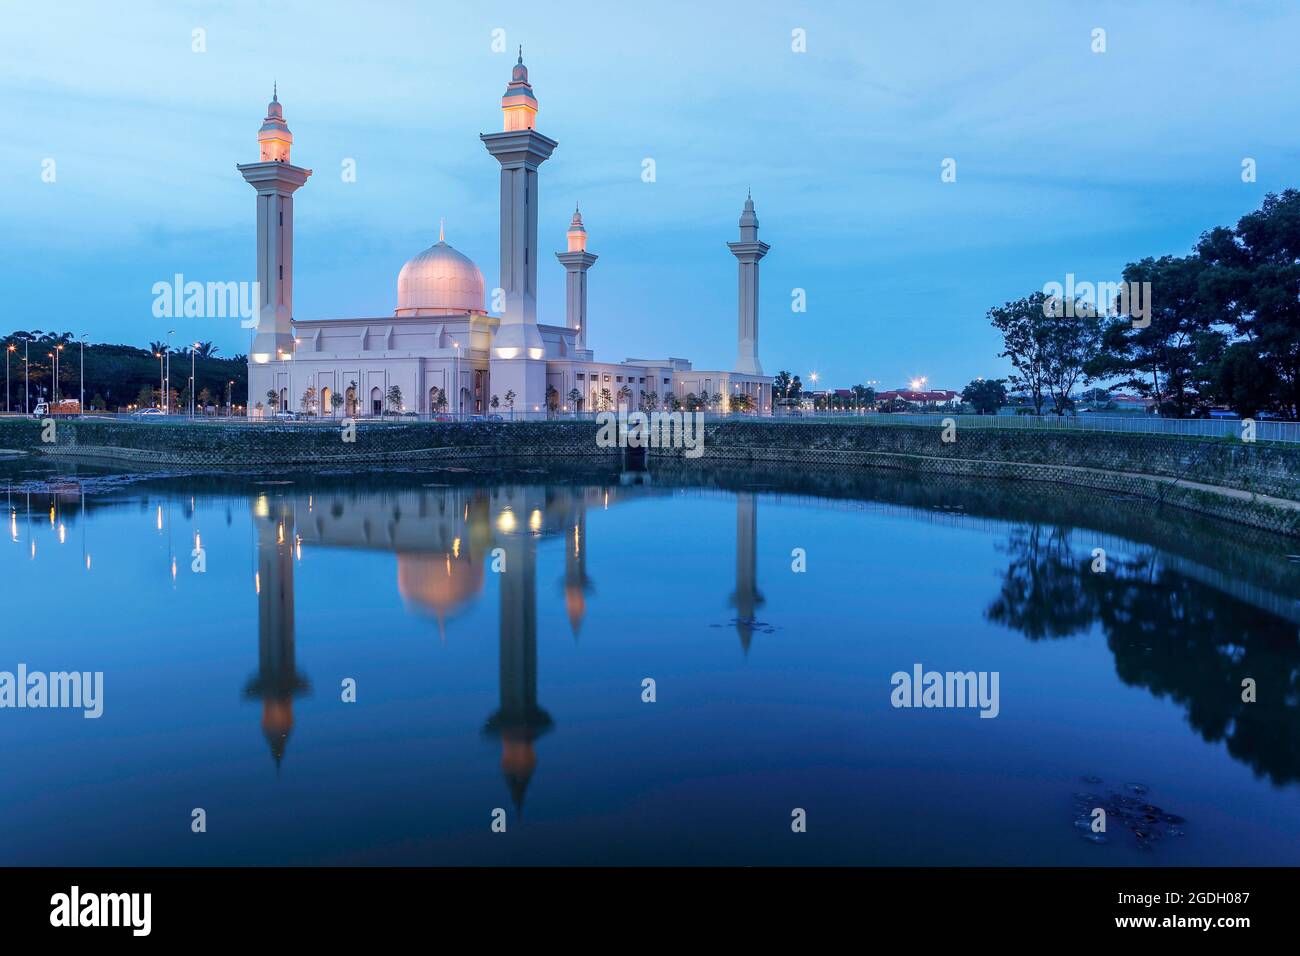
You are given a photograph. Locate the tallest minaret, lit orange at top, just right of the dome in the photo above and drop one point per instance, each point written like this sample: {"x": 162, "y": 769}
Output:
{"x": 518, "y": 357}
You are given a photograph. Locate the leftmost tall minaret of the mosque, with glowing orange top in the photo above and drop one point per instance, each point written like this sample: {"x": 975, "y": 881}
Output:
{"x": 276, "y": 180}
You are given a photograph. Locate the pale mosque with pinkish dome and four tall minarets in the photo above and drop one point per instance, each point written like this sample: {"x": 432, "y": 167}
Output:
{"x": 443, "y": 351}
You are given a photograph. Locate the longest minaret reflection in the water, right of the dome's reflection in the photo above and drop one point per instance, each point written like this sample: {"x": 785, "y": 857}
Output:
{"x": 519, "y": 721}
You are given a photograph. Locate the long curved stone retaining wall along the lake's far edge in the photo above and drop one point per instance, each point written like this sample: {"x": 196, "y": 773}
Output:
{"x": 1258, "y": 483}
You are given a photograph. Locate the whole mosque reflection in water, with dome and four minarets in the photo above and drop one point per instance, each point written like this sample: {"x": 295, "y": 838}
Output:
{"x": 447, "y": 542}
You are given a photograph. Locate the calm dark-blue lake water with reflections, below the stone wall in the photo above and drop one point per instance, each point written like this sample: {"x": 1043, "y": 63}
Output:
{"x": 522, "y": 690}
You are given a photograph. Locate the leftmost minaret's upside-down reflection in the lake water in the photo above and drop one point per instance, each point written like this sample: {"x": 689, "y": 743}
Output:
{"x": 278, "y": 681}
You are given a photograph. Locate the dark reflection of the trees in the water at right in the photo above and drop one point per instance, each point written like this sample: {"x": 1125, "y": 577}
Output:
{"x": 1169, "y": 634}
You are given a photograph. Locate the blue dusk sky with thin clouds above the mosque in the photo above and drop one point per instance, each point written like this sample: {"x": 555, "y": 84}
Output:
{"x": 1067, "y": 161}
